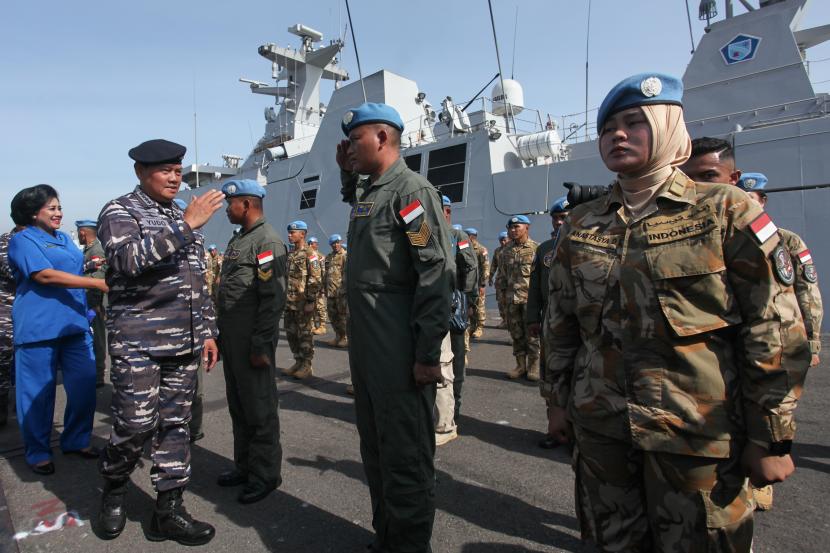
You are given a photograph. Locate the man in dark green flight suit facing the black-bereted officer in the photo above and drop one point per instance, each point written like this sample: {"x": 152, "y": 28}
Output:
{"x": 250, "y": 300}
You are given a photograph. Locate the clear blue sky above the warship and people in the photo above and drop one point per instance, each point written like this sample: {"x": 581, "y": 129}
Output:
{"x": 82, "y": 82}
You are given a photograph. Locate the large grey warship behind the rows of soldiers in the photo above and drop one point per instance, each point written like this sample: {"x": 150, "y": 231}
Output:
{"x": 747, "y": 82}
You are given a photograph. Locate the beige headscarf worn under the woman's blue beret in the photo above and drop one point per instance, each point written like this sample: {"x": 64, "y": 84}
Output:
{"x": 671, "y": 147}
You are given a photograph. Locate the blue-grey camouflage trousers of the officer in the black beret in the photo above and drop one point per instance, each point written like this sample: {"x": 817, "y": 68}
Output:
{"x": 151, "y": 399}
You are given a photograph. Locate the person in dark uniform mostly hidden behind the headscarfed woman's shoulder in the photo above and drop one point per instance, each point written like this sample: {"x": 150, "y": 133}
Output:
{"x": 537, "y": 294}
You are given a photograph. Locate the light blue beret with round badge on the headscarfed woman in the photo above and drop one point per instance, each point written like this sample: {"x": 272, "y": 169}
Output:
{"x": 640, "y": 90}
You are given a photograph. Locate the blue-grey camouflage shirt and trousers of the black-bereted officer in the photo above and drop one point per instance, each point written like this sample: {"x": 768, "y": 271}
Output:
{"x": 159, "y": 316}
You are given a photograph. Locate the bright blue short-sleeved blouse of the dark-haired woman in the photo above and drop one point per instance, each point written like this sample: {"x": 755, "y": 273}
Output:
{"x": 43, "y": 312}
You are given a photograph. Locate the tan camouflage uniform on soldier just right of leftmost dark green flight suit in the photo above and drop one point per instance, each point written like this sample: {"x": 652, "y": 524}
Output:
{"x": 304, "y": 282}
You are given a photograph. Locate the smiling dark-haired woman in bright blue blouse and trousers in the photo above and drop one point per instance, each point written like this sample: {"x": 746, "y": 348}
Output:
{"x": 51, "y": 329}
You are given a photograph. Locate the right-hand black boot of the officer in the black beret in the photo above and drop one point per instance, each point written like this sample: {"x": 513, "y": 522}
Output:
{"x": 171, "y": 521}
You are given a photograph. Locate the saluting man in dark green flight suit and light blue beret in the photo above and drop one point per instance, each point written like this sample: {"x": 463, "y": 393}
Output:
{"x": 400, "y": 267}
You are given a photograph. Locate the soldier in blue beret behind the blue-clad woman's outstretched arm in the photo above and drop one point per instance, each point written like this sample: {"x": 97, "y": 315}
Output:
{"x": 95, "y": 267}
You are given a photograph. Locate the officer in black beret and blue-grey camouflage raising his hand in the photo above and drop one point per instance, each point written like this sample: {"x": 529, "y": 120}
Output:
{"x": 156, "y": 273}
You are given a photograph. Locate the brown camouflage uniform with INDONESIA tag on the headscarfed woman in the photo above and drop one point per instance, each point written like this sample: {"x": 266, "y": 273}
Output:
{"x": 670, "y": 342}
